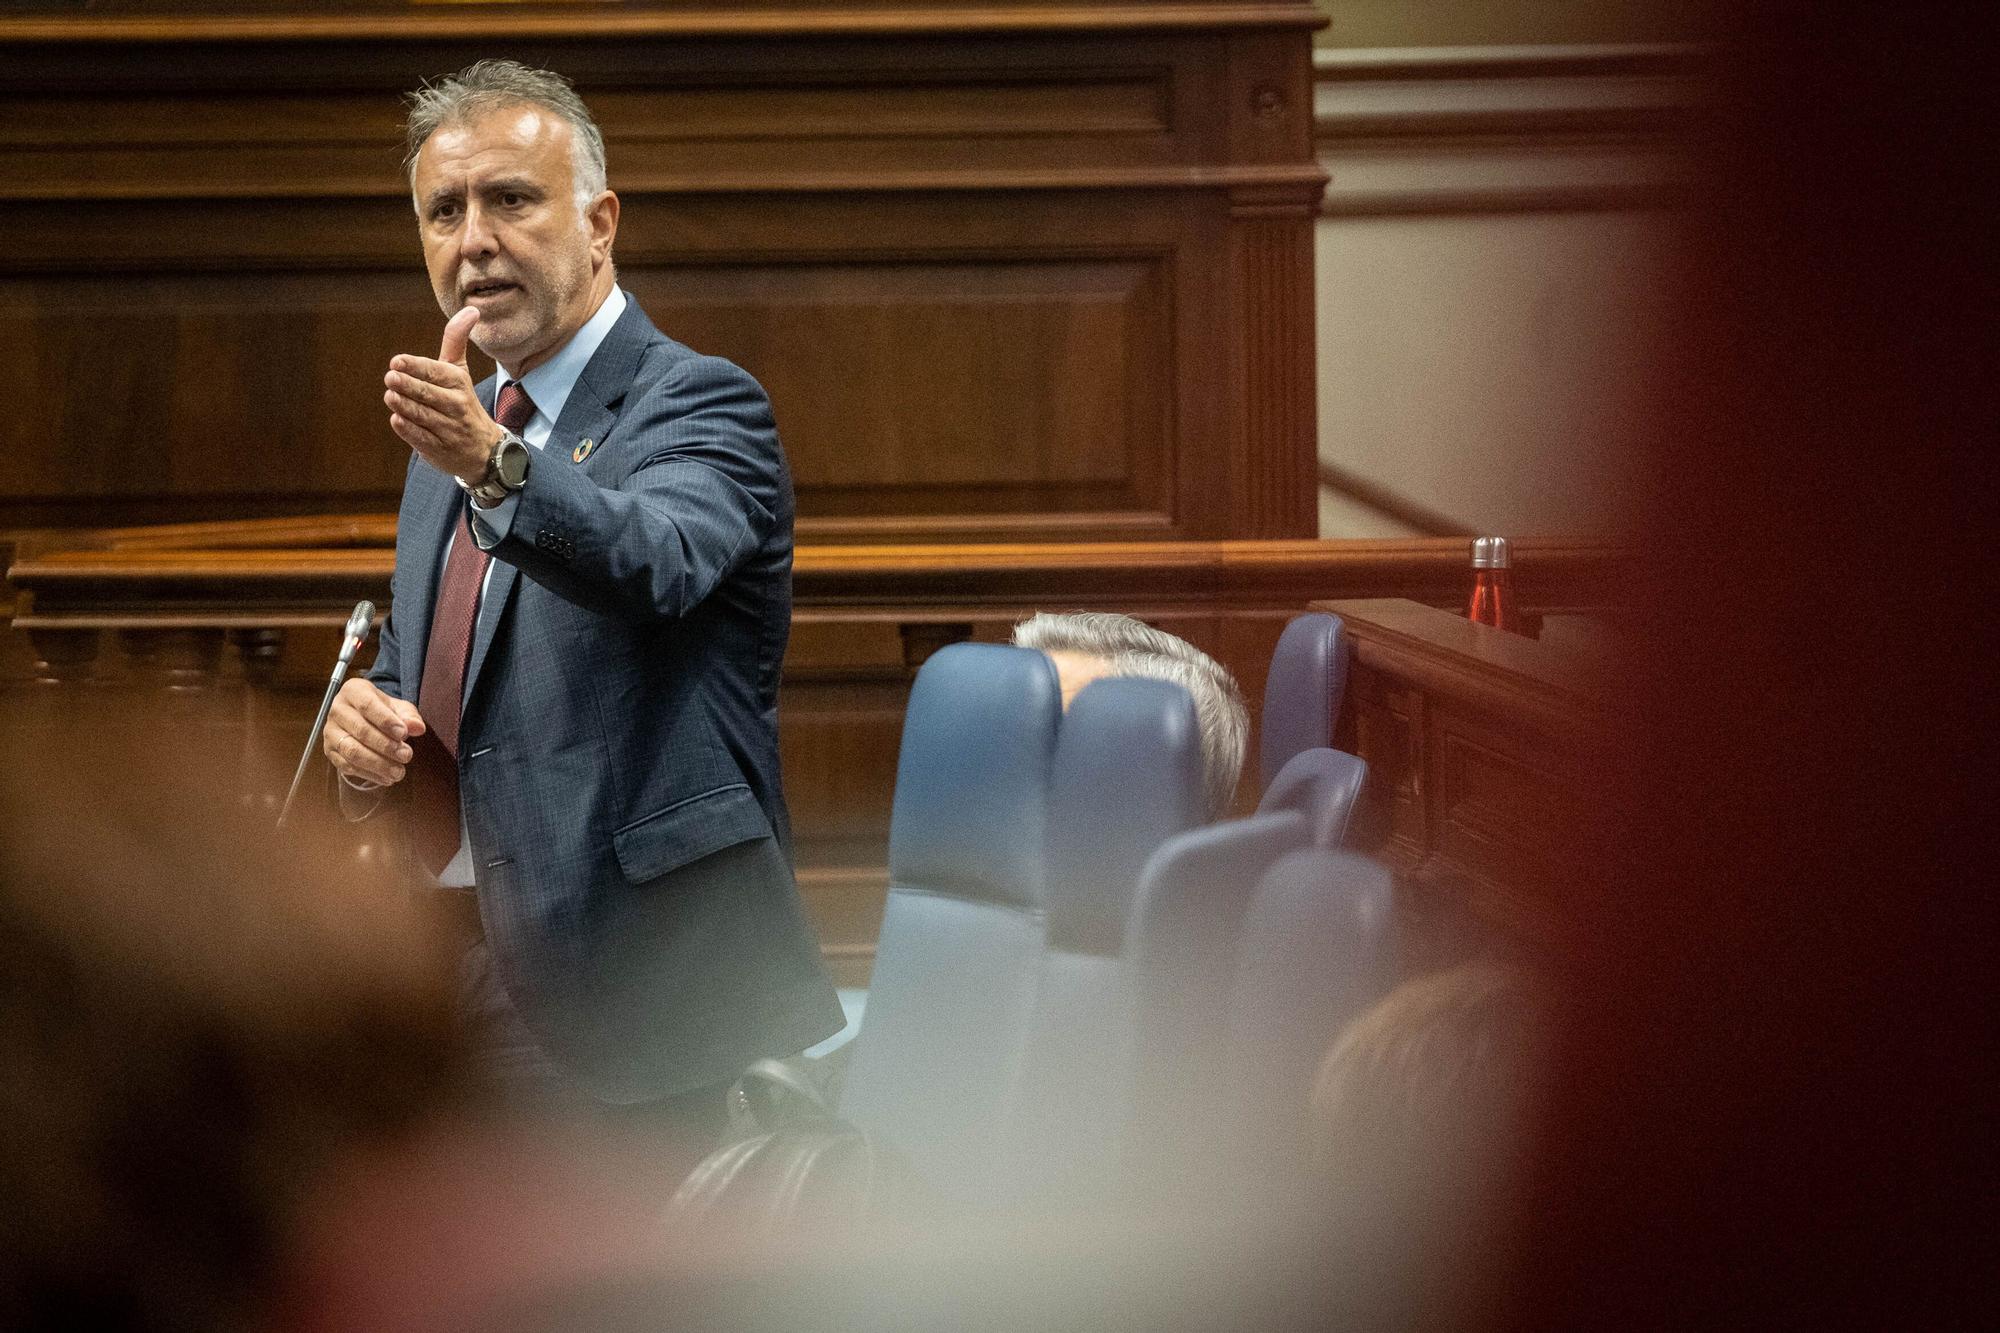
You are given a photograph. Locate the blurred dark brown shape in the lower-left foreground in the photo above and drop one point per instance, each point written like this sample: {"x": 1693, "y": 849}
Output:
{"x": 197, "y": 1026}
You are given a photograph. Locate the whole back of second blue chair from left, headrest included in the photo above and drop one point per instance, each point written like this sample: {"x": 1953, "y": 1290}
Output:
{"x": 1129, "y": 776}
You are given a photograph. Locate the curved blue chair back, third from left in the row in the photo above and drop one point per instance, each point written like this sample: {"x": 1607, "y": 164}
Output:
{"x": 1181, "y": 944}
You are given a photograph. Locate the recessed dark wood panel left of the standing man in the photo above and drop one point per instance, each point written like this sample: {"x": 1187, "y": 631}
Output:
{"x": 203, "y": 395}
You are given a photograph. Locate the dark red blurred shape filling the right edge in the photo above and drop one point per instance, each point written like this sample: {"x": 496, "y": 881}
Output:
{"x": 1775, "y": 1108}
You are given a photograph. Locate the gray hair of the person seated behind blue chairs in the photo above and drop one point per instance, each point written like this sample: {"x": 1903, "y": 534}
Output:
{"x": 1137, "y": 649}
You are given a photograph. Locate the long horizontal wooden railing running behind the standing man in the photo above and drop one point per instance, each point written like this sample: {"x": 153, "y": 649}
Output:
{"x": 289, "y": 573}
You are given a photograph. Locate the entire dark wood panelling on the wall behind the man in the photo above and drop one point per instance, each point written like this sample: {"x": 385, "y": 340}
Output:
{"x": 1009, "y": 271}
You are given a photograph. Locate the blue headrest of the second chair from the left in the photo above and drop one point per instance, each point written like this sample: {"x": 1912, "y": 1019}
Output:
{"x": 1129, "y": 776}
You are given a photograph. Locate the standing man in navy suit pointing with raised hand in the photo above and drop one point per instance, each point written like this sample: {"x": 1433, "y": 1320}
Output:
{"x": 575, "y": 698}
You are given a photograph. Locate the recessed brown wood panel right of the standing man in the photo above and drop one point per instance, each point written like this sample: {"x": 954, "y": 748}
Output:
{"x": 1025, "y": 387}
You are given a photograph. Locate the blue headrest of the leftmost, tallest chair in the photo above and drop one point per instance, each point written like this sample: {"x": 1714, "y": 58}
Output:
{"x": 979, "y": 746}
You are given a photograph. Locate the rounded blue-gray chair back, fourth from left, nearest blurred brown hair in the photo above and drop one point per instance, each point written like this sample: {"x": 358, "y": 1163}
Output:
{"x": 1319, "y": 946}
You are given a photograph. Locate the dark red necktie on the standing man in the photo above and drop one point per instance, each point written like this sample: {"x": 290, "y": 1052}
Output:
{"x": 441, "y": 696}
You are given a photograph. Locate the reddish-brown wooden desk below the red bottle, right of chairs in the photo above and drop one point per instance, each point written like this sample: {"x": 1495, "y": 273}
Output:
{"x": 1491, "y": 760}
